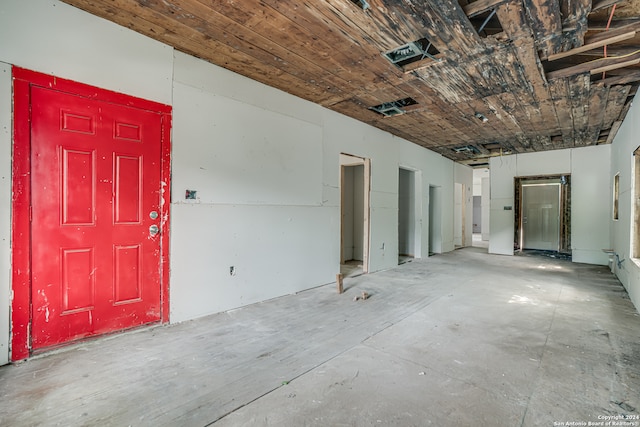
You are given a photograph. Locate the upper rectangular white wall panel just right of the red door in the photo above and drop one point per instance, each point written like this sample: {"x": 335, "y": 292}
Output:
{"x": 230, "y": 152}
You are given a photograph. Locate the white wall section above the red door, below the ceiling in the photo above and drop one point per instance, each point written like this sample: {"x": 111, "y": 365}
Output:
{"x": 54, "y": 38}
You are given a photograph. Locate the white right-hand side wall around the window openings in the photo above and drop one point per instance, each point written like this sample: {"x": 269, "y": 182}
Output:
{"x": 622, "y": 230}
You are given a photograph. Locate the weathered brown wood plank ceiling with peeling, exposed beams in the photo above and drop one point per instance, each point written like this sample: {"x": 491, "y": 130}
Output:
{"x": 468, "y": 80}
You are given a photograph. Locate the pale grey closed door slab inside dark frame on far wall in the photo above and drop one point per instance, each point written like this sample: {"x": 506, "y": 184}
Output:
{"x": 541, "y": 216}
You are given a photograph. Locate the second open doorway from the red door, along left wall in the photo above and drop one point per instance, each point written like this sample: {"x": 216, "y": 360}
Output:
{"x": 409, "y": 215}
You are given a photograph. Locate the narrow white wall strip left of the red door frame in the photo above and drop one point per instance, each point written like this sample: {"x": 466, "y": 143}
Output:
{"x": 5, "y": 209}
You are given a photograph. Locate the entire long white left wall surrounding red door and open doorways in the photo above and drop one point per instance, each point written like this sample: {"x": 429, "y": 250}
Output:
{"x": 265, "y": 164}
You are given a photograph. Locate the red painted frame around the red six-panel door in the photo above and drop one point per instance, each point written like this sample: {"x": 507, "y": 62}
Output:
{"x": 23, "y": 79}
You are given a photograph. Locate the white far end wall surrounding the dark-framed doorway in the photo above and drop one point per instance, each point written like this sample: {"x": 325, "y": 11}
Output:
{"x": 590, "y": 197}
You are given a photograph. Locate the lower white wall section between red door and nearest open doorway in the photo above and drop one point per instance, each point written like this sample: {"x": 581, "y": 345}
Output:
{"x": 275, "y": 250}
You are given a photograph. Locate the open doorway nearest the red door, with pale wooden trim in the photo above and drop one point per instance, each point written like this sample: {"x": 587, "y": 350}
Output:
{"x": 354, "y": 214}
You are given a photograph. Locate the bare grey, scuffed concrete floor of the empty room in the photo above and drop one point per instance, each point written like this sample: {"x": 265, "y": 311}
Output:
{"x": 459, "y": 339}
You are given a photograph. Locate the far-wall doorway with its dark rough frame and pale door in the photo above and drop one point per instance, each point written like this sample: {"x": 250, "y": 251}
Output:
{"x": 543, "y": 214}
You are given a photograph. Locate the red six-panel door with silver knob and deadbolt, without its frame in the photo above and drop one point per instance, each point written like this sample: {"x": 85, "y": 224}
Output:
{"x": 96, "y": 205}
